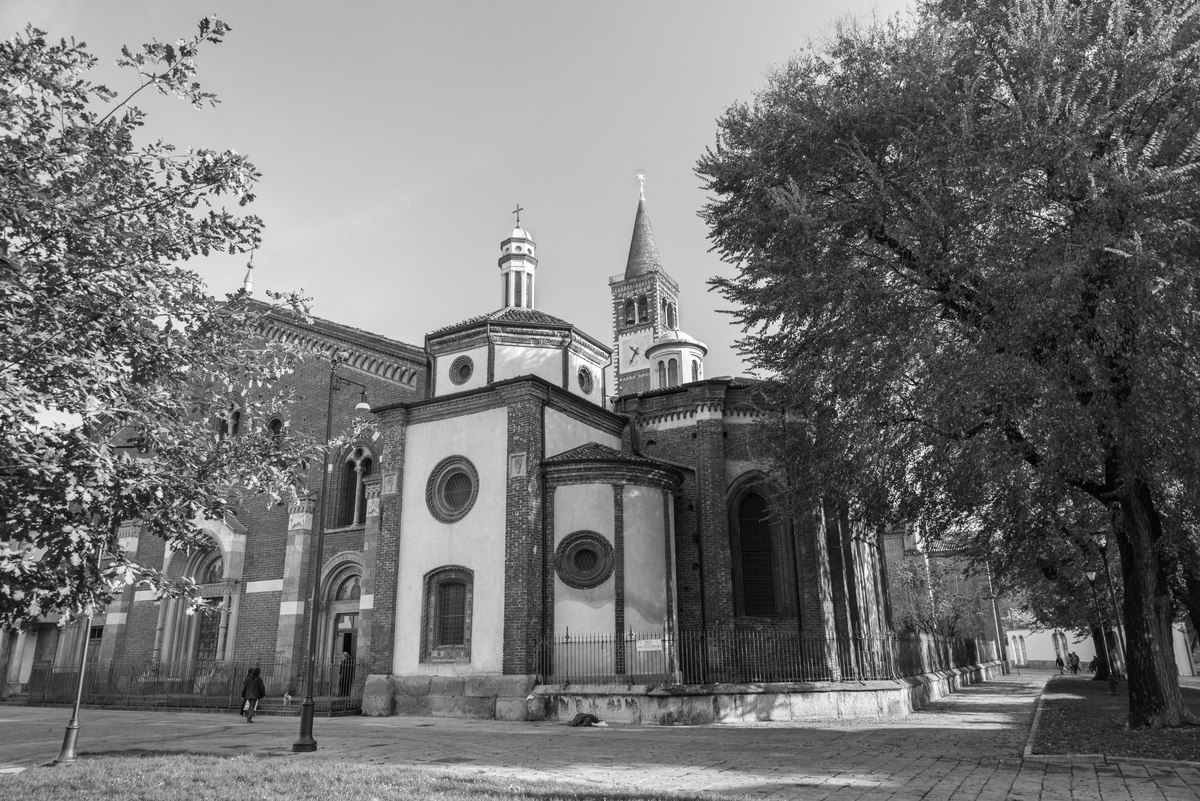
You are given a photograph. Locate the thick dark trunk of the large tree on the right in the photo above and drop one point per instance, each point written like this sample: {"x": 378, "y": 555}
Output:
{"x": 1155, "y": 698}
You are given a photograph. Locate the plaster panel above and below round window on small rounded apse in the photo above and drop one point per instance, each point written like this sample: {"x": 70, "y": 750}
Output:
{"x": 584, "y": 612}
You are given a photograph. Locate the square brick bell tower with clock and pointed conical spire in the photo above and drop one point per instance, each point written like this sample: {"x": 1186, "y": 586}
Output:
{"x": 645, "y": 305}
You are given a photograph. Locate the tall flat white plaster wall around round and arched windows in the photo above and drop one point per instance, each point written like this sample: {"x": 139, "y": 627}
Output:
{"x": 476, "y": 543}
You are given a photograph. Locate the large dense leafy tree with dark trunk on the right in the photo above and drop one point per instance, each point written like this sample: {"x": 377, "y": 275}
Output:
{"x": 967, "y": 246}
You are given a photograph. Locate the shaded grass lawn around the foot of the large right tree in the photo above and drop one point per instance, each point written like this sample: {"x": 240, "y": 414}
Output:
{"x": 1081, "y": 718}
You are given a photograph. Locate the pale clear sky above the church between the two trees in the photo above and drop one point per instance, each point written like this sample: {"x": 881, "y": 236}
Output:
{"x": 395, "y": 138}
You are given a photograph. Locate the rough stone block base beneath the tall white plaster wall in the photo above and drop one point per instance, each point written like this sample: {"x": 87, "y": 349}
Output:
{"x": 482, "y": 697}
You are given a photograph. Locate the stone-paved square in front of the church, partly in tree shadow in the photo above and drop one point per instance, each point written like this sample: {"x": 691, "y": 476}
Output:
{"x": 965, "y": 748}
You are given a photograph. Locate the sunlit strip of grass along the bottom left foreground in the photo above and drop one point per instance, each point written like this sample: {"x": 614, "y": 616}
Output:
{"x": 194, "y": 778}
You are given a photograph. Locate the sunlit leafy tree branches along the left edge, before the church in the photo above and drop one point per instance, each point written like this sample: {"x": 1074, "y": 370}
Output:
{"x": 127, "y": 392}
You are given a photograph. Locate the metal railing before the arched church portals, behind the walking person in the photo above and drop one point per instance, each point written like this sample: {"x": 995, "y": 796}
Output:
{"x": 338, "y": 686}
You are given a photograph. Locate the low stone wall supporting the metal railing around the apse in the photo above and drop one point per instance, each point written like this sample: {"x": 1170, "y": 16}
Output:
{"x": 733, "y": 704}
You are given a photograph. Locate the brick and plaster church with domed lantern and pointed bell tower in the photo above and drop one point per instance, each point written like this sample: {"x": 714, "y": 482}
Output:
{"x": 536, "y": 507}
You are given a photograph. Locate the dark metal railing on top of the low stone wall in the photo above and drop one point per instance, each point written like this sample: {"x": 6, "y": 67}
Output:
{"x": 699, "y": 658}
